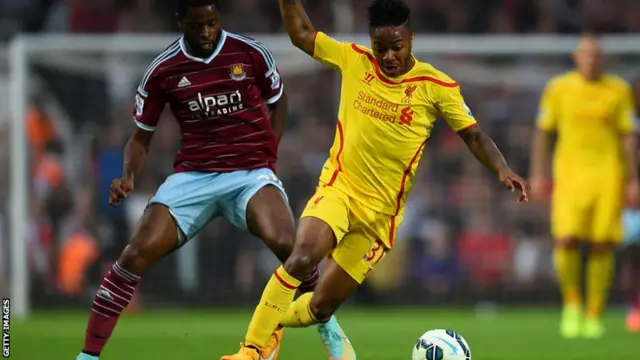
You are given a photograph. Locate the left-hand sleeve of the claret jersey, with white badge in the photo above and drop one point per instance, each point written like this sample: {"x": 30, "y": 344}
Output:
{"x": 149, "y": 102}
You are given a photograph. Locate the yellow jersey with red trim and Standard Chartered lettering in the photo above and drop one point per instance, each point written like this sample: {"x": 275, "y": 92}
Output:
{"x": 384, "y": 124}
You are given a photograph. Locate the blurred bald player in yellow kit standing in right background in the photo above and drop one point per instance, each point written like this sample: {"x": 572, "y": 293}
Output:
{"x": 594, "y": 165}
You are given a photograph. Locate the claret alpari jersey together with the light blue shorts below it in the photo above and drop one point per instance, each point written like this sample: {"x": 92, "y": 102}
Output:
{"x": 229, "y": 149}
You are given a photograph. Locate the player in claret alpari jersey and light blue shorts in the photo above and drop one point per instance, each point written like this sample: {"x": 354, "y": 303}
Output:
{"x": 226, "y": 94}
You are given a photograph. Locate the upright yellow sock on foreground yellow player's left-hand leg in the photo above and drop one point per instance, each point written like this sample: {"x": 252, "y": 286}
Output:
{"x": 276, "y": 298}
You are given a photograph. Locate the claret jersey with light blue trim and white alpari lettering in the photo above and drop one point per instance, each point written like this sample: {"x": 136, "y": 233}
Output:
{"x": 220, "y": 103}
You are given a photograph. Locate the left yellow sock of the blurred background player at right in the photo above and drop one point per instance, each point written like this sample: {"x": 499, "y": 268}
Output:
{"x": 567, "y": 264}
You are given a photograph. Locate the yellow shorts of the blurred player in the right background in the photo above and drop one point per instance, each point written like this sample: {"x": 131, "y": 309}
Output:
{"x": 588, "y": 211}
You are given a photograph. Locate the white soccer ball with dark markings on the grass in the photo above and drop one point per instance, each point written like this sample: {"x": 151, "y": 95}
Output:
{"x": 441, "y": 345}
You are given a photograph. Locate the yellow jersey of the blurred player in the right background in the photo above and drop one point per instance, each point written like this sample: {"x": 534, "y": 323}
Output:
{"x": 590, "y": 118}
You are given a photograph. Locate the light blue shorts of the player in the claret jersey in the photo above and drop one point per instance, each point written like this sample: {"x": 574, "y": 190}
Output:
{"x": 195, "y": 198}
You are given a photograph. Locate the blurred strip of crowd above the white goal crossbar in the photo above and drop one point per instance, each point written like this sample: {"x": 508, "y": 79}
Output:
{"x": 436, "y": 16}
